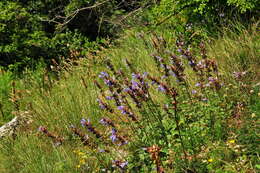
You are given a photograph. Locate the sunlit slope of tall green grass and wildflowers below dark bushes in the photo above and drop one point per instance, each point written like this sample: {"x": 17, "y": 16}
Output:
{"x": 202, "y": 129}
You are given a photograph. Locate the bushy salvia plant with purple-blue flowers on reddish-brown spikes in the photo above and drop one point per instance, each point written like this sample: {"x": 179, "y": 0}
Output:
{"x": 140, "y": 132}
